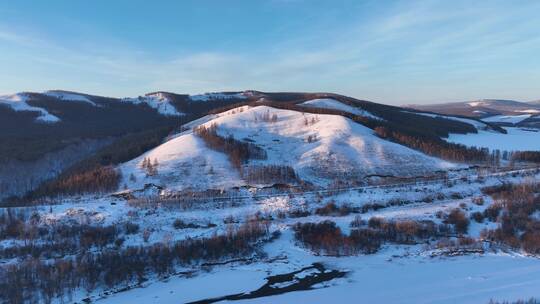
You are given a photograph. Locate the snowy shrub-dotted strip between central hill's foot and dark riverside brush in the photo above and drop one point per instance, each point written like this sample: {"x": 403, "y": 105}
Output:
{"x": 439, "y": 195}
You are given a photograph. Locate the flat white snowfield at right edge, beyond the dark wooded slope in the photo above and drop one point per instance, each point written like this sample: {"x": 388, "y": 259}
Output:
{"x": 517, "y": 139}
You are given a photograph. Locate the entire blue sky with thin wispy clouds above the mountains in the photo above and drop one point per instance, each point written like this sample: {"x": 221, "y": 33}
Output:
{"x": 387, "y": 51}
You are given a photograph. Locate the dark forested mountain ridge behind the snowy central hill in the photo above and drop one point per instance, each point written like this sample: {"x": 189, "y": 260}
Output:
{"x": 42, "y": 129}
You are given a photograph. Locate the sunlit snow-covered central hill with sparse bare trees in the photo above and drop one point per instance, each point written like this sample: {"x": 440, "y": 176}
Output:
{"x": 341, "y": 148}
